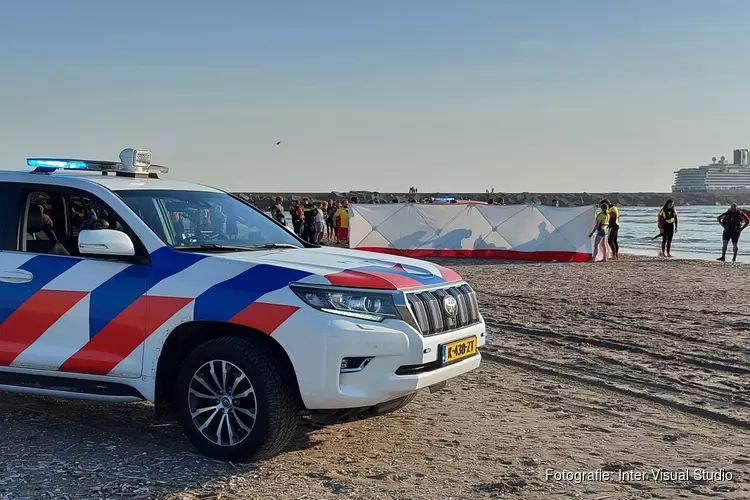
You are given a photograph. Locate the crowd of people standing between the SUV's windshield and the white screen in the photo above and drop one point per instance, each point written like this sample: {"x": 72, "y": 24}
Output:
{"x": 317, "y": 222}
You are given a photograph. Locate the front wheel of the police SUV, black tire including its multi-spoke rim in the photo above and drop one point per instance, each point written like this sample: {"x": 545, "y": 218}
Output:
{"x": 267, "y": 393}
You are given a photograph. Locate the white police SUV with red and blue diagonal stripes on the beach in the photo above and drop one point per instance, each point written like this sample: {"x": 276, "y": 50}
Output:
{"x": 117, "y": 285}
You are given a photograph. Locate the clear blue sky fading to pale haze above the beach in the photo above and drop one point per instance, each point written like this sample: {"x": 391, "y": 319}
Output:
{"x": 447, "y": 96}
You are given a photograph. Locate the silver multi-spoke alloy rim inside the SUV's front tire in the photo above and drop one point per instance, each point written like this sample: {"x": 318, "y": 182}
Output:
{"x": 222, "y": 403}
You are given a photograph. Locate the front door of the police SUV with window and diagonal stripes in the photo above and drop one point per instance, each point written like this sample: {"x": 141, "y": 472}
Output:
{"x": 60, "y": 311}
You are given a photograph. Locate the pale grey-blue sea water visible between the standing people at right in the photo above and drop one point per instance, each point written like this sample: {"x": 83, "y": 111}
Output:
{"x": 698, "y": 235}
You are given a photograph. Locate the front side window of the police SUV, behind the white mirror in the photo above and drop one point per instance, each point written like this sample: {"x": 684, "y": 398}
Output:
{"x": 52, "y": 220}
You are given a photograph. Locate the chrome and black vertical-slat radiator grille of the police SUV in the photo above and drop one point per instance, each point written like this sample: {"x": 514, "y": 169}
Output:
{"x": 429, "y": 309}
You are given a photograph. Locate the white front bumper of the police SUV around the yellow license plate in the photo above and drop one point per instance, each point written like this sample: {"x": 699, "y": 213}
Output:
{"x": 316, "y": 342}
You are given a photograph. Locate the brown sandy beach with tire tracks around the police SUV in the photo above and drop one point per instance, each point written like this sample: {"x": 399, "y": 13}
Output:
{"x": 640, "y": 364}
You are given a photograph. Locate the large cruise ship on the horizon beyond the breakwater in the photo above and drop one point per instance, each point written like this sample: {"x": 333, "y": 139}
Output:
{"x": 717, "y": 176}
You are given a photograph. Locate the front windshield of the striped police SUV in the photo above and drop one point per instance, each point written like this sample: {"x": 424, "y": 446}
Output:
{"x": 195, "y": 219}
